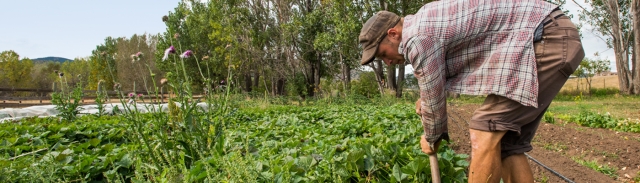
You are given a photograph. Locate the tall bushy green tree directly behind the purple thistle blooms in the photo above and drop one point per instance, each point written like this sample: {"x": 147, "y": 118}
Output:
{"x": 209, "y": 30}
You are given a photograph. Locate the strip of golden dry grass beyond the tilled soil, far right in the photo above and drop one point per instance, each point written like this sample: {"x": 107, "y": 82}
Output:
{"x": 574, "y": 84}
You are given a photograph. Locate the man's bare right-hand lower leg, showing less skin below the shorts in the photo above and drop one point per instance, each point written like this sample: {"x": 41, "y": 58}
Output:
{"x": 515, "y": 168}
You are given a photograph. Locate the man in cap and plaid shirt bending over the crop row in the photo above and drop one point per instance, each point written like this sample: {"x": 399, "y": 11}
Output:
{"x": 517, "y": 52}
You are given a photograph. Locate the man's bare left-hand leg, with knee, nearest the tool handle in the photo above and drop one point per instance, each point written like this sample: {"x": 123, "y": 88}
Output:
{"x": 486, "y": 164}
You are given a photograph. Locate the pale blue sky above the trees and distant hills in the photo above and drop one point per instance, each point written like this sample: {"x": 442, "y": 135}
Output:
{"x": 73, "y": 28}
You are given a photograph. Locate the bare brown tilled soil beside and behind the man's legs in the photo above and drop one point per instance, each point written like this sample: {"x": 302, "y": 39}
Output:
{"x": 558, "y": 146}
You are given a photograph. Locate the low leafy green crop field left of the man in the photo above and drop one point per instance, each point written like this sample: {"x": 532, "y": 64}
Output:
{"x": 277, "y": 143}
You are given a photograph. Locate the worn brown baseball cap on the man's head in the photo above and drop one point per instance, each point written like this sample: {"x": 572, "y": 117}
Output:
{"x": 373, "y": 31}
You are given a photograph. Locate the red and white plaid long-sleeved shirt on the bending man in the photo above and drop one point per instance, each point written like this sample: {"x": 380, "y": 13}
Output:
{"x": 473, "y": 47}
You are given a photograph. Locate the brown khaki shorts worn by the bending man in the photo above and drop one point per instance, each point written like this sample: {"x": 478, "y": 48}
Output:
{"x": 558, "y": 55}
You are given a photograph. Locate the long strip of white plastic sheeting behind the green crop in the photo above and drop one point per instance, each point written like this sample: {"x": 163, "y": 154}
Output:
{"x": 50, "y": 110}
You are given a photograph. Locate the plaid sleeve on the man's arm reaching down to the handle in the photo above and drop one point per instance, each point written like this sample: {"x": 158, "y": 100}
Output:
{"x": 427, "y": 58}
